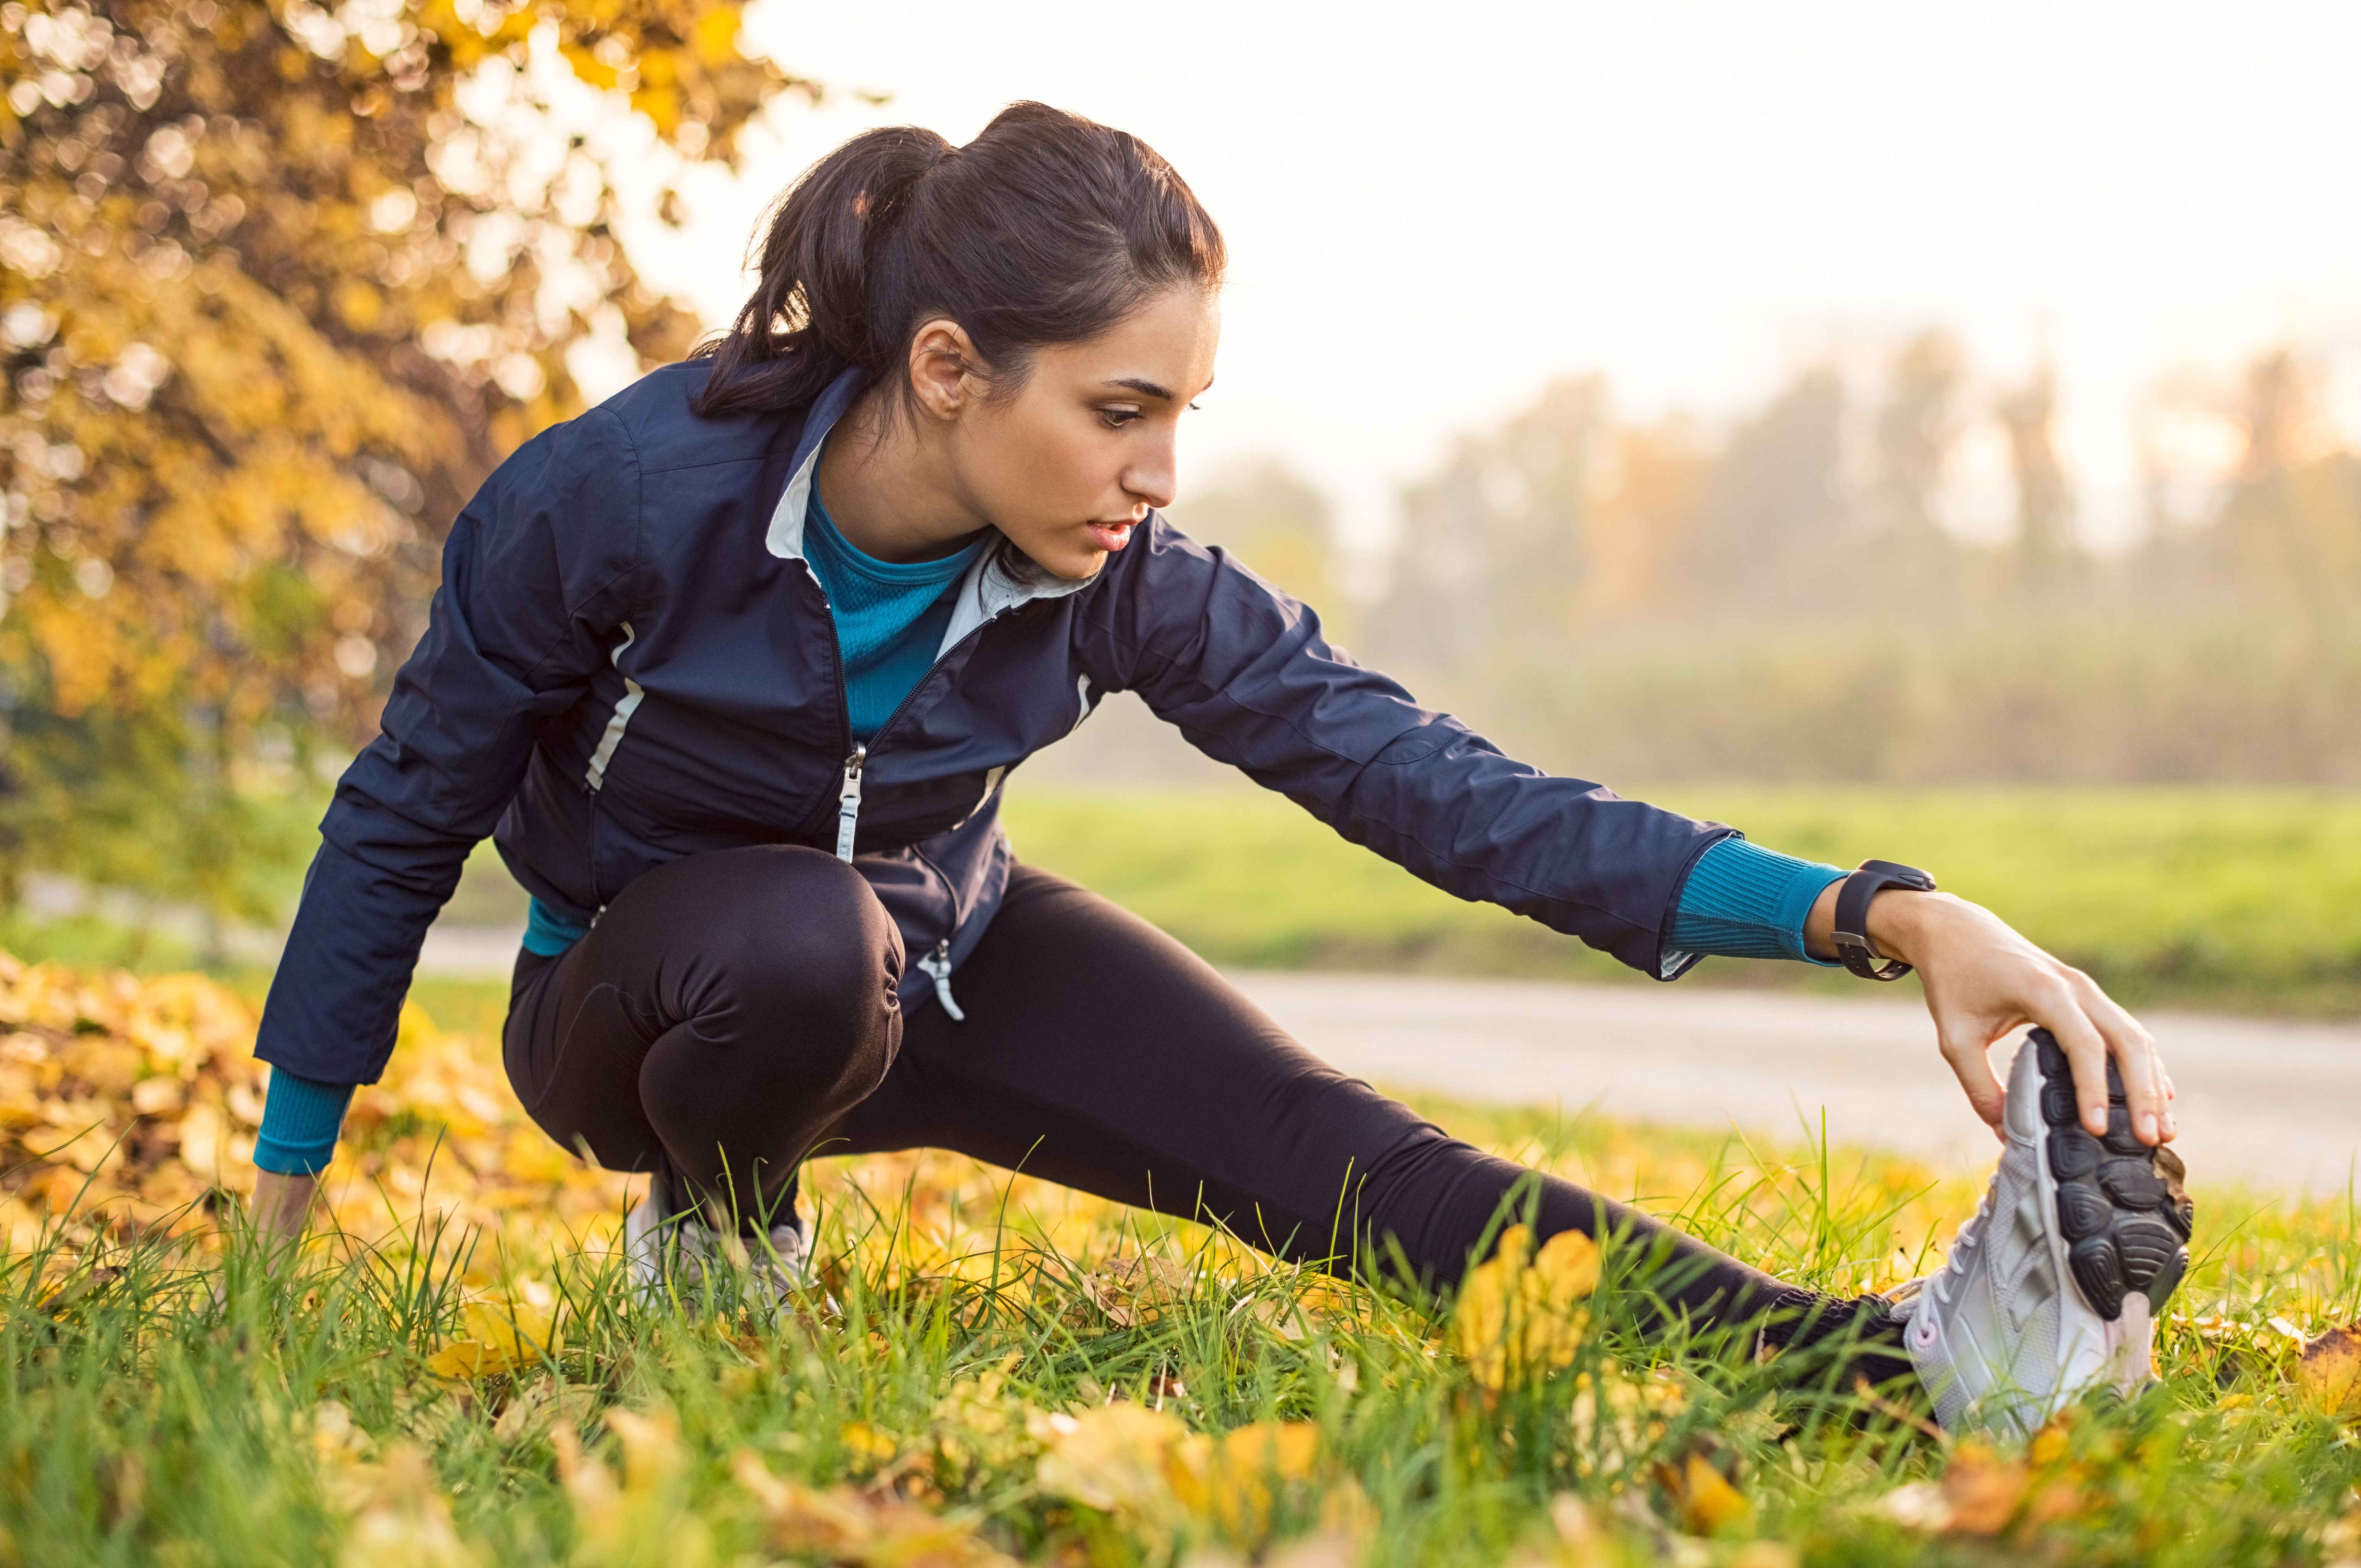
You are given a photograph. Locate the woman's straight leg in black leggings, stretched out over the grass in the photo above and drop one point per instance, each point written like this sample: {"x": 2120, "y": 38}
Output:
{"x": 1101, "y": 1054}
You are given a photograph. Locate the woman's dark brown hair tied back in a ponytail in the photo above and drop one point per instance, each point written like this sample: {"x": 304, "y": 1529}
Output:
{"x": 1047, "y": 228}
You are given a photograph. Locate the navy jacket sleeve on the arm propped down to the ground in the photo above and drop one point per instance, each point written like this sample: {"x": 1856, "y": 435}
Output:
{"x": 537, "y": 577}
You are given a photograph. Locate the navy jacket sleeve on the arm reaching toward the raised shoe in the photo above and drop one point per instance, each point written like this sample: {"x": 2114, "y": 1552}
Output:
{"x": 1250, "y": 681}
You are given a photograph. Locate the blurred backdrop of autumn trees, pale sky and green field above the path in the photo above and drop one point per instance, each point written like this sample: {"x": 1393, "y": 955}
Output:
{"x": 1890, "y": 431}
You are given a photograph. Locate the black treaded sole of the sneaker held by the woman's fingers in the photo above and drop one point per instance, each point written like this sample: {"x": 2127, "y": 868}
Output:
{"x": 2121, "y": 1206}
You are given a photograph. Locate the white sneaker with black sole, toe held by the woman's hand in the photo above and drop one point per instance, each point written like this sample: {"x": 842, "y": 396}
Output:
{"x": 2058, "y": 1281}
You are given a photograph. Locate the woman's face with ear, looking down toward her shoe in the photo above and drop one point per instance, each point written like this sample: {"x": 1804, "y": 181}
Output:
{"x": 1090, "y": 443}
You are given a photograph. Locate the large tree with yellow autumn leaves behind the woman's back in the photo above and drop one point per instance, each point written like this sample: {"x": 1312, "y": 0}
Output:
{"x": 277, "y": 289}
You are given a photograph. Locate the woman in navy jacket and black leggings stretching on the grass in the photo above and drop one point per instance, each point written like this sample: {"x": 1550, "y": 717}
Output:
{"x": 735, "y": 667}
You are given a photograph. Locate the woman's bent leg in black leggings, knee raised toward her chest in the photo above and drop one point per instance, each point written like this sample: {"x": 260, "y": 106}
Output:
{"x": 717, "y": 1019}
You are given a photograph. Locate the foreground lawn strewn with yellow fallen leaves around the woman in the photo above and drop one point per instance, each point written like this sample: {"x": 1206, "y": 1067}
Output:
{"x": 1009, "y": 1371}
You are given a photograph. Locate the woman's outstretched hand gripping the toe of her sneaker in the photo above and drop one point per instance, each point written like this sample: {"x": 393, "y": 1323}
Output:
{"x": 1982, "y": 981}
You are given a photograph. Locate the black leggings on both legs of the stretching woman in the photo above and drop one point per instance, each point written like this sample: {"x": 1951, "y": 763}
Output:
{"x": 735, "y": 1012}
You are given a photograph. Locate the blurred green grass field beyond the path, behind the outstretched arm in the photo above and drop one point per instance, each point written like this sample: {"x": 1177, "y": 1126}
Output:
{"x": 2216, "y": 899}
